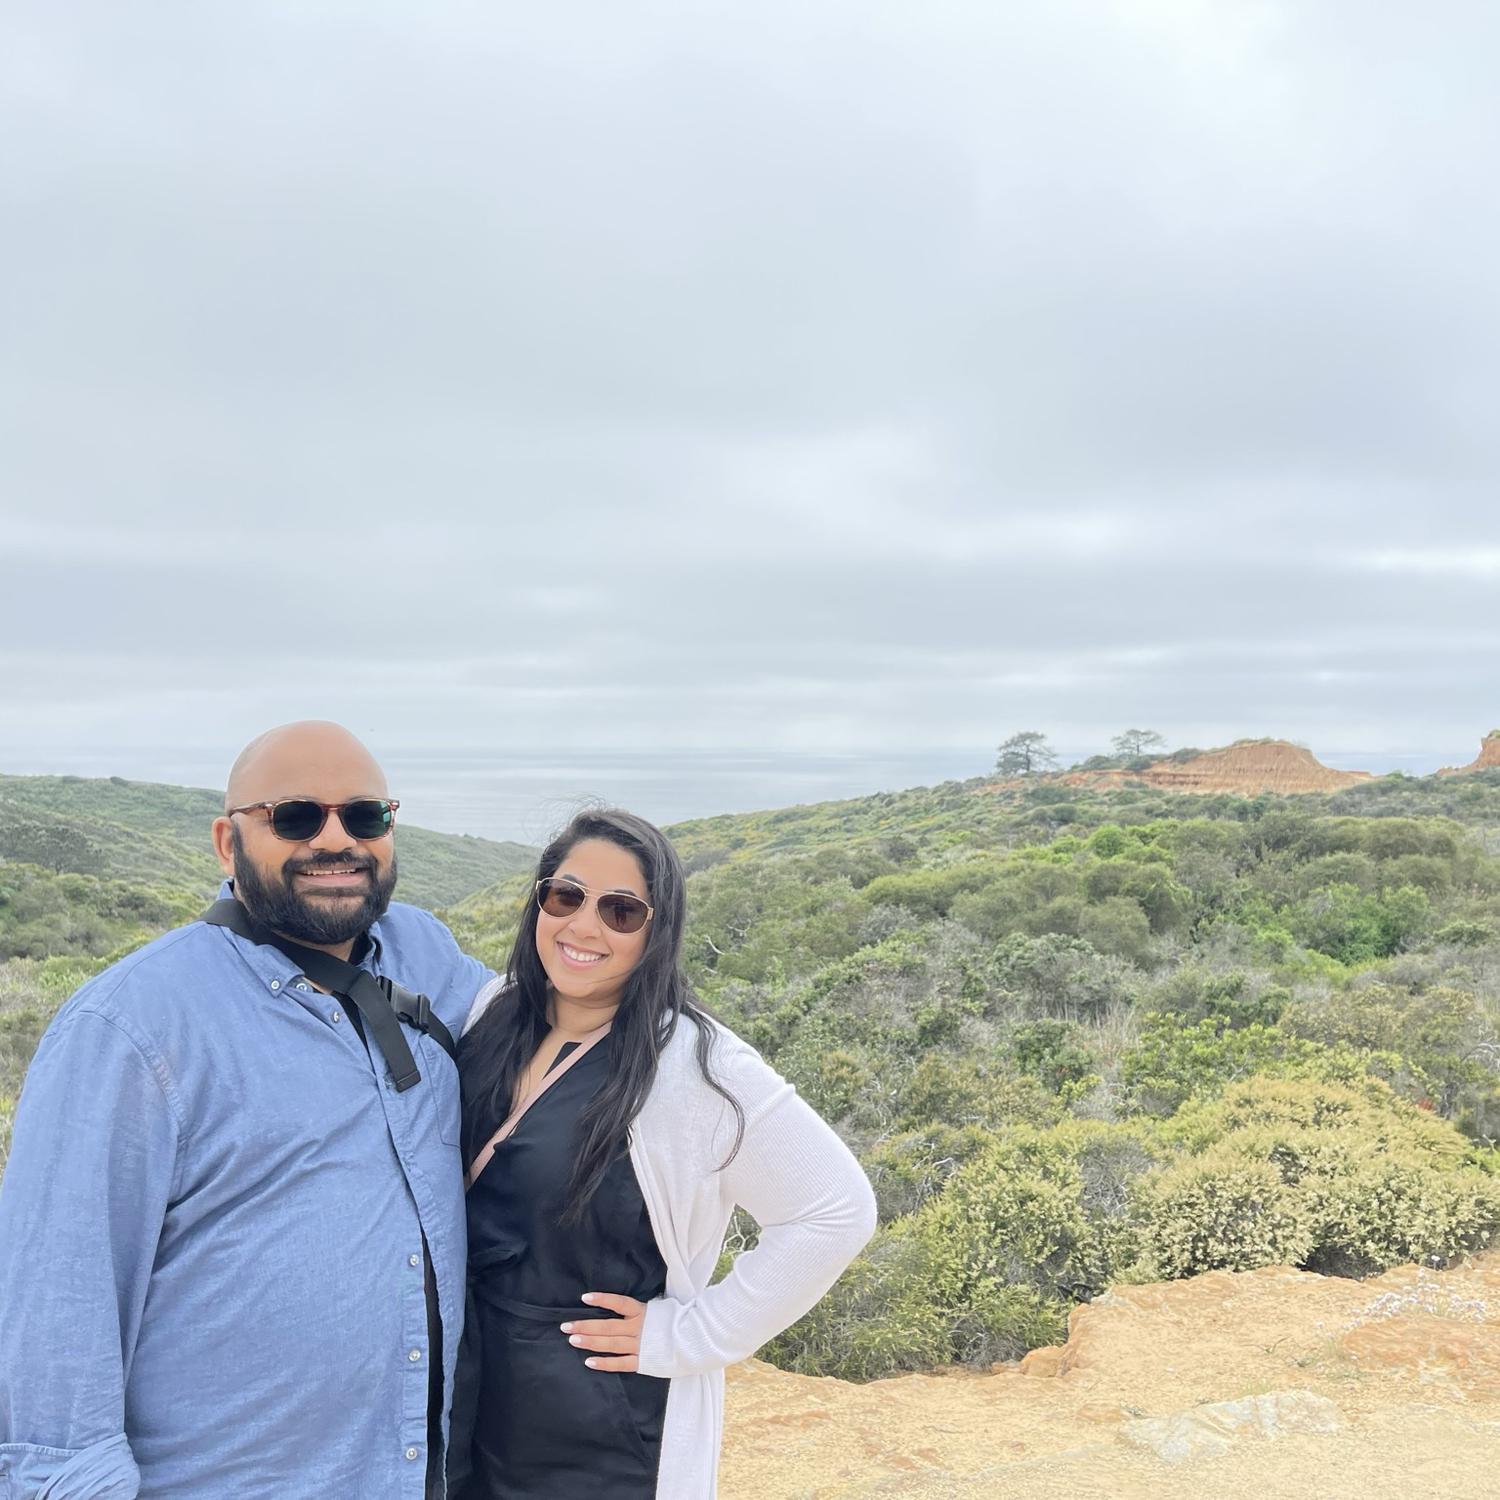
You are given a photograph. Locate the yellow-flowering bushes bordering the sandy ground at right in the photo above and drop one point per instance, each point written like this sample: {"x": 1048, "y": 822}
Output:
{"x": 1018, "y": 1228}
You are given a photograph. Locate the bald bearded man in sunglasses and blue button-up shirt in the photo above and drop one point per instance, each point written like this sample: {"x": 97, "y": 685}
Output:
{"x": 232, "y": 1225}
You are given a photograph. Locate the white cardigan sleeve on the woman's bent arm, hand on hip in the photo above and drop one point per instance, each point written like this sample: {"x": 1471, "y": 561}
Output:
{"x": 815, "y": 1210}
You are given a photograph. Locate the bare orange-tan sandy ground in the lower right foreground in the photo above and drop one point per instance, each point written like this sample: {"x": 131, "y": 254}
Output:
{"x": 1399, "y": 1379}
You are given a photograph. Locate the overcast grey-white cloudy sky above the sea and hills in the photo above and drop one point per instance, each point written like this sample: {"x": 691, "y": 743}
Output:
{"x": 800, "y": 377}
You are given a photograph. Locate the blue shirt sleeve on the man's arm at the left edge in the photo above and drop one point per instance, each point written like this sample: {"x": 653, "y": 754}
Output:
{"x": 94, "y": 1159}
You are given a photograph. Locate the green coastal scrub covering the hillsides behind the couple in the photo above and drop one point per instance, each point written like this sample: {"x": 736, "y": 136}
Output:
{"x": 1079, "y": 1033}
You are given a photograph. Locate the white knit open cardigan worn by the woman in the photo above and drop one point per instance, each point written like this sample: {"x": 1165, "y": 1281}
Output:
{"x": 793, "y": 1175}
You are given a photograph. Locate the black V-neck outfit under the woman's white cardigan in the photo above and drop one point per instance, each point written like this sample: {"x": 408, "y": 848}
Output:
{"x": 547, "y": 1427}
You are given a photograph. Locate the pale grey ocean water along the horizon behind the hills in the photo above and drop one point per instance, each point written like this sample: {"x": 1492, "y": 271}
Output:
{"x": 527, "y": 796}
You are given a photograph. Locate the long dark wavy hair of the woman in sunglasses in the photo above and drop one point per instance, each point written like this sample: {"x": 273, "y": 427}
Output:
{"x": 655, "y": 1000}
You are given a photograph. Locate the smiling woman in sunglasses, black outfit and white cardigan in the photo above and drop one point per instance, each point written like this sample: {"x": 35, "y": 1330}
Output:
{"x": 628, "y": 1126}
